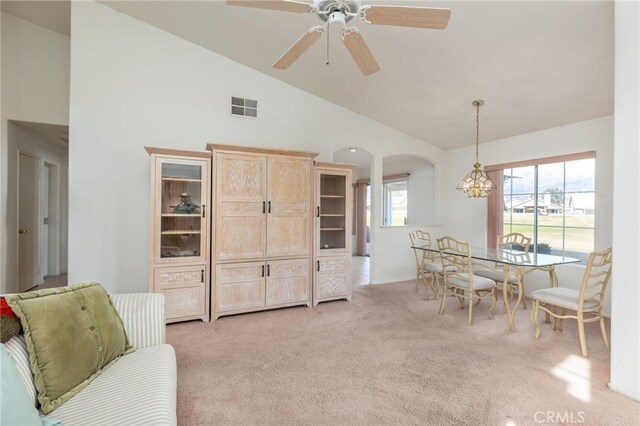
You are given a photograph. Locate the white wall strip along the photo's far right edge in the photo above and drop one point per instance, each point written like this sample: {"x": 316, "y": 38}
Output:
{"x": 625, "y": 321}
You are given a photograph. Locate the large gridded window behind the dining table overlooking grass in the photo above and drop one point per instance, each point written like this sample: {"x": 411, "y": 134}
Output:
{"x": 550, "y": 200}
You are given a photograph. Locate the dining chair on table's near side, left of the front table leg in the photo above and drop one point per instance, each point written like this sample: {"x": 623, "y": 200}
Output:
{"x": 459, "y": 280}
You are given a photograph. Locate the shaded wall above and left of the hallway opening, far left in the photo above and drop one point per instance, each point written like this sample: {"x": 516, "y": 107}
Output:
{"x": 35, "y": 87}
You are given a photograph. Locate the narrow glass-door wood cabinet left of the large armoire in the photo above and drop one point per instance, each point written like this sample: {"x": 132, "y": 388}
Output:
{"x": 179, "y": 249}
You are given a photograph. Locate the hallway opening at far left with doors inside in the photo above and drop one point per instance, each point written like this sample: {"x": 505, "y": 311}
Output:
{"x": 37, "y": 213}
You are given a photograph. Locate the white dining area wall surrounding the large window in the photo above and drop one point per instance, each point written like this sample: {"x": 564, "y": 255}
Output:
{"x": 466, "y": 218}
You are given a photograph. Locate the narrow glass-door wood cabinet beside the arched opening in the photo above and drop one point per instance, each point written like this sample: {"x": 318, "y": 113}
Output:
{"x": 332, "y": 239}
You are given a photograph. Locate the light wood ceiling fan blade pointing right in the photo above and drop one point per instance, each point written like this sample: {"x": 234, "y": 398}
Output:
{"x": 404, "y": 16}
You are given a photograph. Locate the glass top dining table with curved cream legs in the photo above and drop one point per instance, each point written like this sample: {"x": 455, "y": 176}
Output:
{"x": 521, "y": 263}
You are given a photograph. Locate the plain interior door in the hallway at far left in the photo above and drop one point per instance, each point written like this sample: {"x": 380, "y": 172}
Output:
{"x": 28, "y": 177}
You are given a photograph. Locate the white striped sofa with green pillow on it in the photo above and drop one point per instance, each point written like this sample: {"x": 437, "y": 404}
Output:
{"x": 138, "y": 389}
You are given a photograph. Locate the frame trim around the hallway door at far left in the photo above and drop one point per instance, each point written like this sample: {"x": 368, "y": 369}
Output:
{"x": 38, "y": 207}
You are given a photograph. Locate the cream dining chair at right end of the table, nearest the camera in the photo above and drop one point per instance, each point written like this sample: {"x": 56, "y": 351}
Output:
{"x": 588, "y": 302}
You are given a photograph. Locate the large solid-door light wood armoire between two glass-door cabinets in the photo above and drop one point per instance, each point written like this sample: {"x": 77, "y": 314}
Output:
{"x": 262, "y": 229}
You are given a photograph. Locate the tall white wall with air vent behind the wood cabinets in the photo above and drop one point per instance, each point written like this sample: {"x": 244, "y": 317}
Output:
{"x": 135, "y": 85}
